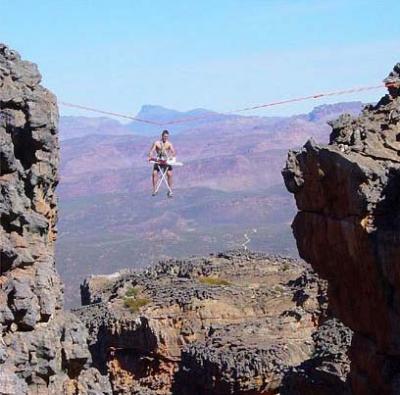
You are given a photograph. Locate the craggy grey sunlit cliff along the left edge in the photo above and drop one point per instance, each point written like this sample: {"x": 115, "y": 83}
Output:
{"x": 42, "y": 349}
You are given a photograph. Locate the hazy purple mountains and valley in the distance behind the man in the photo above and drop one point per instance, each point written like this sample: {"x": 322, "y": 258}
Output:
{"x": 230, "y": 185}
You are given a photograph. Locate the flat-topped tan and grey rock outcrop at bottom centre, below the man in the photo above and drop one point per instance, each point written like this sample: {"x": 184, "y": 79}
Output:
{"x": 233, "y": 323}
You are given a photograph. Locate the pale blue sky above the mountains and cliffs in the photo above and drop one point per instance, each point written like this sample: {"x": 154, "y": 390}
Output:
{"x": 218, "y": 55}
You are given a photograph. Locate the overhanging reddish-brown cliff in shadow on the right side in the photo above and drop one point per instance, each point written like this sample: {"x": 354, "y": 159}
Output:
{"x": 348, "y": 228}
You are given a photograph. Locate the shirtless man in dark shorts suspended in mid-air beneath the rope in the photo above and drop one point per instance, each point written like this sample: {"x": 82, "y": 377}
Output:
{"x": 164, "y": 150}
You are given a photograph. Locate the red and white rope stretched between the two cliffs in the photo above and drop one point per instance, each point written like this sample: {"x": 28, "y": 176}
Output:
{"x": 239, "y": 110}
